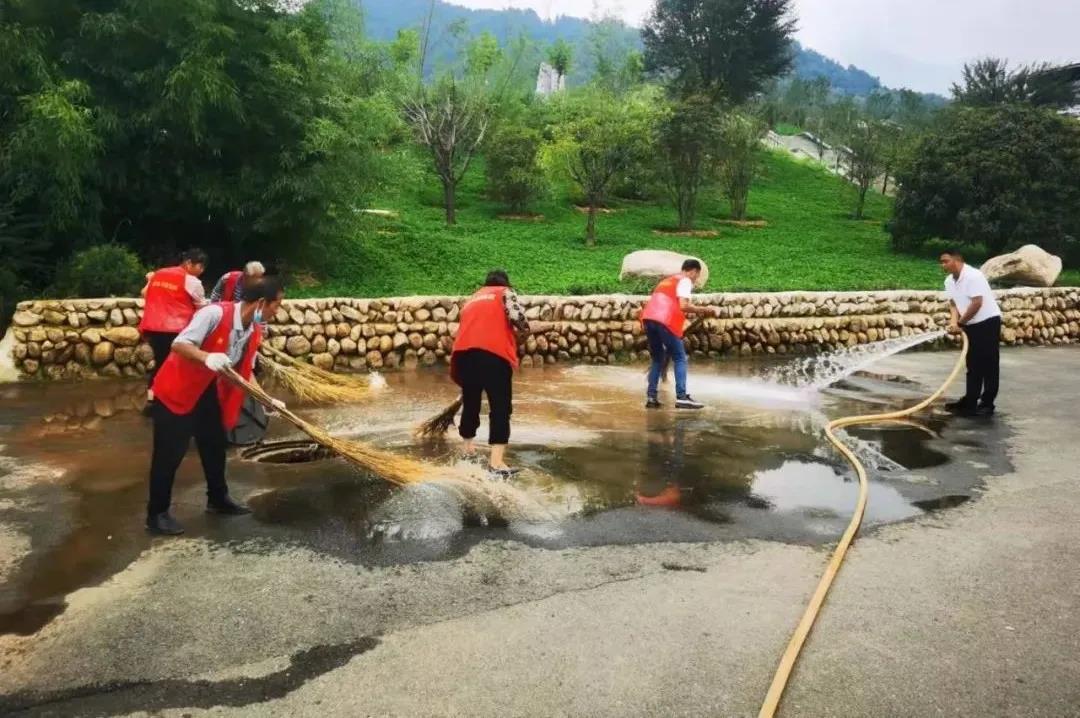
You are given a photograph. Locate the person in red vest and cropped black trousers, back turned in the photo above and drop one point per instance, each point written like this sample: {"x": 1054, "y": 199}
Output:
{"x": 483, "y": 362}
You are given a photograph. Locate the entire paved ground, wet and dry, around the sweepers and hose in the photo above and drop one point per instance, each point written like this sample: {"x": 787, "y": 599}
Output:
{"x": 681, "y": 552}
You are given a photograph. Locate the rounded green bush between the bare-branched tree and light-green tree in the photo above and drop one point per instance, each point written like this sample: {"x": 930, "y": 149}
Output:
{"x": 515, "y": 177}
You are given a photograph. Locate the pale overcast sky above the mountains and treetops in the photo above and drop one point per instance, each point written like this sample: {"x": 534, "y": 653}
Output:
{"x": 915, "y": 44}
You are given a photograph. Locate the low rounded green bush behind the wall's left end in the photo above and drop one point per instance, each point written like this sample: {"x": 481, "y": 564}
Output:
{"x": 106, "y": 270}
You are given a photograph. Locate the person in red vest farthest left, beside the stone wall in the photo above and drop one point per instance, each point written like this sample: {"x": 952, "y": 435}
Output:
{"x": 172, "y": 295}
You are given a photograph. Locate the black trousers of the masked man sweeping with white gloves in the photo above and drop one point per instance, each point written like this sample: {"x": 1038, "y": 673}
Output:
{"x": 172, "y": 435}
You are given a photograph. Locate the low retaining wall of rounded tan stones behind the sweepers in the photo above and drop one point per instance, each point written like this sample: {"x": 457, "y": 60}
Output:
{"x": 70, "y": 340}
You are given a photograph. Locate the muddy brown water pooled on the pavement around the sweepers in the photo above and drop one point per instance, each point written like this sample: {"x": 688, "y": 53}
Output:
{"x": 753, "y": 465}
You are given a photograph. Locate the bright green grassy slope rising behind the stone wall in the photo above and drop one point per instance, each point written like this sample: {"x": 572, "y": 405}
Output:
{"x": 809, "y": 243}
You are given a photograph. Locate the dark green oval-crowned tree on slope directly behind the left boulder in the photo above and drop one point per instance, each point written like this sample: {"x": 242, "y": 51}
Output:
{"x": 687, "y": 138}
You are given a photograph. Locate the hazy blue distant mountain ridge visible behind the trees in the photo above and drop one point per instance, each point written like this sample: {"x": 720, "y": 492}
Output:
{"x": 385, "y": 18}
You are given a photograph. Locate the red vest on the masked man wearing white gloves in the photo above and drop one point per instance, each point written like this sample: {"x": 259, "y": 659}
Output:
{"x": 181, "y": 383}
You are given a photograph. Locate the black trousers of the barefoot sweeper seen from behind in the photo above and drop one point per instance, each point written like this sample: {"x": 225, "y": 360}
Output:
{"x": 483, "y": 373}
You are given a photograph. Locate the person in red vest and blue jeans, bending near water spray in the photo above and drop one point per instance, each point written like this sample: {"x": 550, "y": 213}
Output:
{"x": 664, "y": 318}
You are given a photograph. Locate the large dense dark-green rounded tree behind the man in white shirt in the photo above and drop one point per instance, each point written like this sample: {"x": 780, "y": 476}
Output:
{"x": 993, "y": 180}
